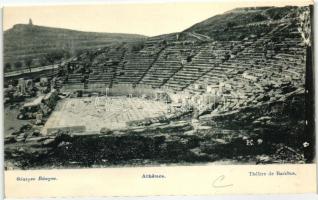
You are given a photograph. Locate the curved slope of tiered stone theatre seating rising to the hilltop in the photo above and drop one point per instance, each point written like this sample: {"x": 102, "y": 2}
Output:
{"x": 264, "y": 43}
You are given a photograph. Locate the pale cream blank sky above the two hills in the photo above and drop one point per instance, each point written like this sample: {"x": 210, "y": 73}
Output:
{"x": 142, "y": 18}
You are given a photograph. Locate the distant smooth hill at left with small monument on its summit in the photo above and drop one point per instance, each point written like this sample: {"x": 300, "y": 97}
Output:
{"x": 23, "y": 43}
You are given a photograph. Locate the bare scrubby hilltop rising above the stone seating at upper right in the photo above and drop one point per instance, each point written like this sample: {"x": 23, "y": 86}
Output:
{"x": 234, "y": 24}
